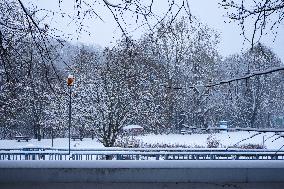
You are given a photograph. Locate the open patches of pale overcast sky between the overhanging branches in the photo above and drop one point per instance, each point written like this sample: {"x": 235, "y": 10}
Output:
{"x": 207, "y": 11}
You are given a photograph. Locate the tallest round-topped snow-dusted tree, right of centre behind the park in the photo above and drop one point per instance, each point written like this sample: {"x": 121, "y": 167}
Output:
{"x": 188, "y": 52}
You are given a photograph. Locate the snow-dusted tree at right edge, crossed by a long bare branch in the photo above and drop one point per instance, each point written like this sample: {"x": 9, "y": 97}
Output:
{"x": 252, "y": 101}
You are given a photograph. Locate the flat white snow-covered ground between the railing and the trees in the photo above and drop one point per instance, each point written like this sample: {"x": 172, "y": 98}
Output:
{"x": 226, "y": 139}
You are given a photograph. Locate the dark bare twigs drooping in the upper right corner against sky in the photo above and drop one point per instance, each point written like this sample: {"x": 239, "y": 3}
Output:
{"x": 266, "y": 15}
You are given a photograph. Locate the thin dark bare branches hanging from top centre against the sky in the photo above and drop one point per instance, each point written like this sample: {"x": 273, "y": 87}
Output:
{"x": 143, "y": 13}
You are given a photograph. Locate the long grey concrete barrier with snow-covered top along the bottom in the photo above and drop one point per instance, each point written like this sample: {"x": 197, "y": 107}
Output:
{"x": 142, "y": 174}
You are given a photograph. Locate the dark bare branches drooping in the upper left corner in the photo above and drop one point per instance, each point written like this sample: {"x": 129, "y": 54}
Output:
{"x": 20, "y": 27}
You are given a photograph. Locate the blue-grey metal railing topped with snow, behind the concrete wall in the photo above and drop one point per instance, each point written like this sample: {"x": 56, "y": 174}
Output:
{"x": 141, "y": 154}
